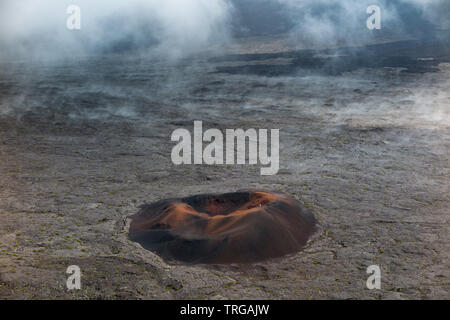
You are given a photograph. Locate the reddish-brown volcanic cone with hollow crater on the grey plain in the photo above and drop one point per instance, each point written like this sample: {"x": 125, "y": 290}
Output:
{"x": 241, "y": 227}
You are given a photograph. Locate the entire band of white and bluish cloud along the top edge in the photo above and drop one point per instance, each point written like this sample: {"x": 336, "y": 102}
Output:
{"x": 177, "y": 27}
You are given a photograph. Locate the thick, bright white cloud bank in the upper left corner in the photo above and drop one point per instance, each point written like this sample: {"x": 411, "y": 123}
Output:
{"x": 32, "y": 27}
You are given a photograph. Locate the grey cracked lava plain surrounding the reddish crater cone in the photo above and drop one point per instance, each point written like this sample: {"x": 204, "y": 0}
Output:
{"x": 364, "y": 145}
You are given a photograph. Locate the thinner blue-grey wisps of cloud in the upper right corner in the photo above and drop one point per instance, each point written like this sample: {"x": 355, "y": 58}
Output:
{"x": 334, "y": 22}
